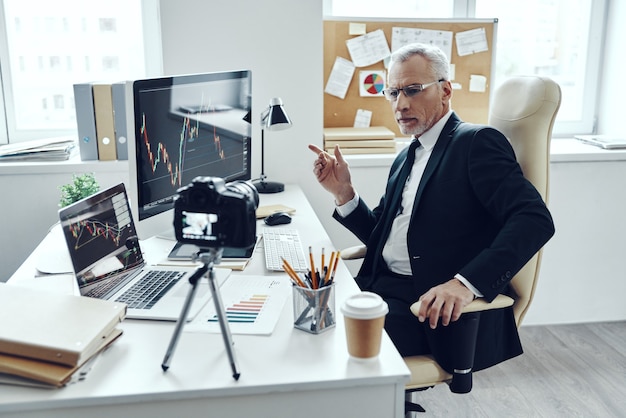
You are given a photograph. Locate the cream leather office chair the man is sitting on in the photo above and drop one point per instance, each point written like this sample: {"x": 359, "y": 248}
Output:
{"x": 523, "y": 109}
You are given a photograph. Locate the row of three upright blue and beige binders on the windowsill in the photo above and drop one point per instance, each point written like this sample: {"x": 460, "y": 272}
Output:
{"x": 101, "y": 120}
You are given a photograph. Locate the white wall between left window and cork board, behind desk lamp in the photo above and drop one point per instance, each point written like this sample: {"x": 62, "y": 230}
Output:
{"x": 281, "y": 42}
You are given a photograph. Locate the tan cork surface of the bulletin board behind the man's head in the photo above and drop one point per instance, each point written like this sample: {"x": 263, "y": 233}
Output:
{"x": 471, "y": 106}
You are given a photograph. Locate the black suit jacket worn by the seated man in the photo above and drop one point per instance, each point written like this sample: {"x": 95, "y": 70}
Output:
{"x": 474, "y": 214}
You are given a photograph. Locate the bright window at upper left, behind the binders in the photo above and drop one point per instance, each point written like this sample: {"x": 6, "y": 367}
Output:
{"x": 46, "y": 47}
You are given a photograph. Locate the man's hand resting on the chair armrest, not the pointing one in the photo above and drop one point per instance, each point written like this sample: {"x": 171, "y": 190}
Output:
{"x": 445, "y": 301}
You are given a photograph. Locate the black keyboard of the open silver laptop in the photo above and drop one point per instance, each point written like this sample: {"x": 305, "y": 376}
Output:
{"x": 147, "y": 292}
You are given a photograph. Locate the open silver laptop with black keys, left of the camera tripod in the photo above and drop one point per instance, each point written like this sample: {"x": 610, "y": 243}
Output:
{"x": 108, "y": 262}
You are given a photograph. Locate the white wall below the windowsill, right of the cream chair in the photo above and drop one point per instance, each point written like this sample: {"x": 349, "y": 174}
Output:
{"x": 583, "y": 270}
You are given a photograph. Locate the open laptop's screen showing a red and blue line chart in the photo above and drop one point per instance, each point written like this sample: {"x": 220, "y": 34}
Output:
{"x": 101, "y": 236}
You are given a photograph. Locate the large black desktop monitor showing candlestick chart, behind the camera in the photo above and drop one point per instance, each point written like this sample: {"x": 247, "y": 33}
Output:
{"x": 183, "y": 127}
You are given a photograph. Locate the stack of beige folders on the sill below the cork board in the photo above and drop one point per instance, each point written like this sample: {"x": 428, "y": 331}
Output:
{"x": 372, "y": 140}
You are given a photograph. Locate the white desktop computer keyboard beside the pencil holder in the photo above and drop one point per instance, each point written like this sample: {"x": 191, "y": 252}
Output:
{"x": 283, "y": 243}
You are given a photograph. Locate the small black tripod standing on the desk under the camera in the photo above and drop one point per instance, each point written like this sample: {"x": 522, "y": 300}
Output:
{"x": 208, "y": 257}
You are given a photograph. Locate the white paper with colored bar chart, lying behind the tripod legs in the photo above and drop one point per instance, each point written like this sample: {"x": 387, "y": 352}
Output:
{"x": 253, "y": 305}
